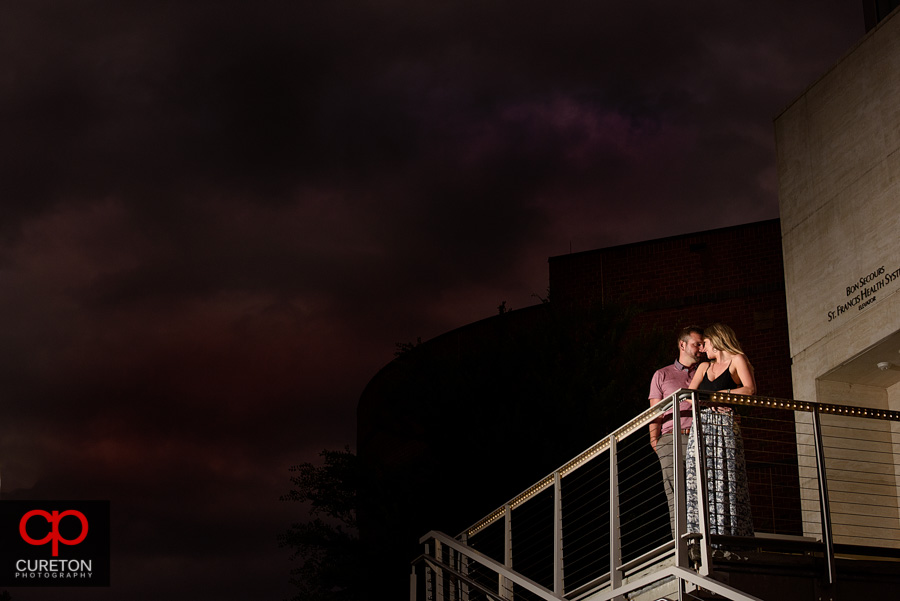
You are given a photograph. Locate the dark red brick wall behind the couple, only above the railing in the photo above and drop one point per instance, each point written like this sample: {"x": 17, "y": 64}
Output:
{"x": 731, "y": 275}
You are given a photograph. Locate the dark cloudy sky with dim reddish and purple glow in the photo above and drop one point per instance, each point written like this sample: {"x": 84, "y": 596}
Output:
{"x": 218, "y": 218}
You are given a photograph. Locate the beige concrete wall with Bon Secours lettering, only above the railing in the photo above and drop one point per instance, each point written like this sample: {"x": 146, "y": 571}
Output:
{"x": 839, "y": 190}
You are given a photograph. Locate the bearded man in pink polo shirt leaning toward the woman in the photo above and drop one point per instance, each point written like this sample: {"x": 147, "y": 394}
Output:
{"x": 665, "y": 382}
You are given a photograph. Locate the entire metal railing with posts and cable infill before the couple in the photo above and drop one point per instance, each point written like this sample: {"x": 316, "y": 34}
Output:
{"x": 821, "y": 475}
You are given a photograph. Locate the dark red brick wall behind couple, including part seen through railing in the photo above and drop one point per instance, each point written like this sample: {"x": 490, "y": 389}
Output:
{"x": 734, "y": 276}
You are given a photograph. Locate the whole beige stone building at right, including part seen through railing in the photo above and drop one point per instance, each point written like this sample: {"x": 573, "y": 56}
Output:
{"x": 839, "y": 190}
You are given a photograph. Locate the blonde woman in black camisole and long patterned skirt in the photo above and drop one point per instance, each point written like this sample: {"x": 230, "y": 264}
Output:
{"x": 728, "y": 370}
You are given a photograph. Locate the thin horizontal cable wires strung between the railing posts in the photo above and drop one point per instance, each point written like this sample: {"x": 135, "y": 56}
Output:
{"x": 779, "y": 442}
